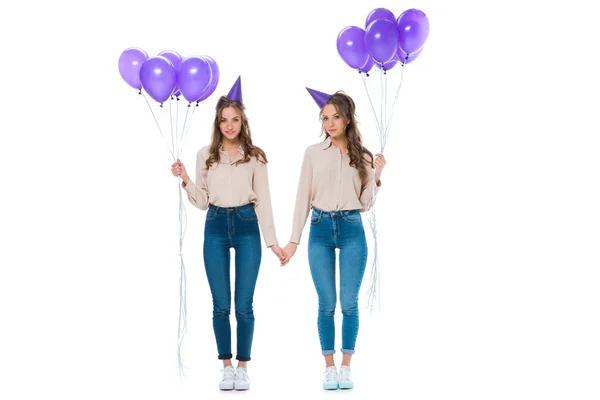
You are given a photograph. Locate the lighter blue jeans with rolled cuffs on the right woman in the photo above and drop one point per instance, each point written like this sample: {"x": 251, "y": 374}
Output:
{"x": 330, "y": 230}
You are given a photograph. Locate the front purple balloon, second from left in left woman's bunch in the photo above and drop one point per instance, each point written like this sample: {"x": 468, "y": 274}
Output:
{"x": 158, "y": 78}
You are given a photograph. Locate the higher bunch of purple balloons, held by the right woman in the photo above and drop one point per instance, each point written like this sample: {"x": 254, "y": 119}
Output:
{"x": 385, "y": 41}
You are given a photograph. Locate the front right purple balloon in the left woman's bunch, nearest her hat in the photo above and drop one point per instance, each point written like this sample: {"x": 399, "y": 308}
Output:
{"x": 193, "y": 76}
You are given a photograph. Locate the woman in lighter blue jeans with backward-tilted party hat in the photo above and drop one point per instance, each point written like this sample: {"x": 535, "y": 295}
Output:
{"x": 339, "y": 180}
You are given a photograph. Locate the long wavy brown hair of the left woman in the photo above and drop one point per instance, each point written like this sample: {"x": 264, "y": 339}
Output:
{"x": 245, "y": 135}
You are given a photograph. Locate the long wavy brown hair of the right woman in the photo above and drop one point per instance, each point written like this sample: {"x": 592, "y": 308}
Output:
{"x": 345, "y": 106}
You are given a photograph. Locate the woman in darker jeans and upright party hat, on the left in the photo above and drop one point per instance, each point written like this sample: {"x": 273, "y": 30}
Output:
{"x": 232, "y": 183}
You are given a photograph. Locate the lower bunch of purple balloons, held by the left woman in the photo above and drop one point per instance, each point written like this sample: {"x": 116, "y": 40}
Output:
{"x": 168, "y": 74}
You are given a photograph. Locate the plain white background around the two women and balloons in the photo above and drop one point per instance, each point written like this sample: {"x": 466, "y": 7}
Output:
{"x": 488, "y": 221}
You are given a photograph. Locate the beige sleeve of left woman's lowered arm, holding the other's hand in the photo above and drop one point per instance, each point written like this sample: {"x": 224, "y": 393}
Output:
{"x": 264, "y": 209}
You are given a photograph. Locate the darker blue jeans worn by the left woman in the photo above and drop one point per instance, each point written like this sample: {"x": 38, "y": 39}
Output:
{"x": 237, "y": 228}
